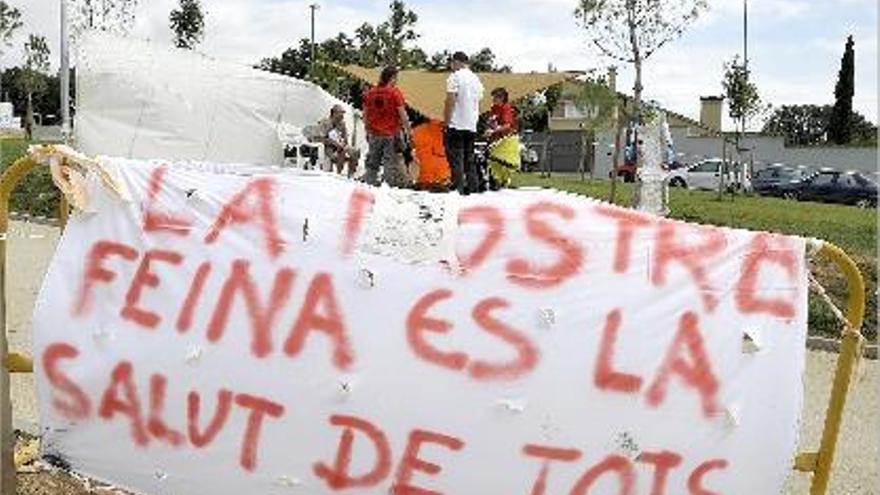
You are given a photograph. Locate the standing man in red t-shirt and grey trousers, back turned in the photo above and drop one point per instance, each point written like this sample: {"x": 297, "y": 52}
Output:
{"x": 385, "y": 117}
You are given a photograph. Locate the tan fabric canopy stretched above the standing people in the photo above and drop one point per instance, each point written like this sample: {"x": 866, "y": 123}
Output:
{"x": 425, "y": 91}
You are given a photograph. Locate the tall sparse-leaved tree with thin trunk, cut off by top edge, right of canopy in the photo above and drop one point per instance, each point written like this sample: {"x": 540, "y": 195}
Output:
{"x": 630, "y": 31}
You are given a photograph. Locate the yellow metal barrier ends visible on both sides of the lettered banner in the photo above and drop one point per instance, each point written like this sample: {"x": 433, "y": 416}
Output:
{"x": 819, "y": 463}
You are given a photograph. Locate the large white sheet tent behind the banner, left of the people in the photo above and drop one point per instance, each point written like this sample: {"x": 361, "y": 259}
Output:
{"x": 138, "y": 99}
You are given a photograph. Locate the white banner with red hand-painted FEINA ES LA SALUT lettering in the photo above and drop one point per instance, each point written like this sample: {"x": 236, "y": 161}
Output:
{"x": 239, "y": 330}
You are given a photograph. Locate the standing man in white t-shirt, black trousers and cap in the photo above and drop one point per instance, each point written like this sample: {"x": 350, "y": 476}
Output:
{"x": 463, "y": 94}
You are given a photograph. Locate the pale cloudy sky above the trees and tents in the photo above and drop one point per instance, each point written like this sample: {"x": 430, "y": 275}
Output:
{"x": 794, "y": 45}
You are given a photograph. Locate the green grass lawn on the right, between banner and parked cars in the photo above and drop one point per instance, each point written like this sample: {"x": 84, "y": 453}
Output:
{"x": 851, "y": 228}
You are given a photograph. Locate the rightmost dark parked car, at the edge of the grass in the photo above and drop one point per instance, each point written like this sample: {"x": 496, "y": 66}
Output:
{"x": 834, "y": 186}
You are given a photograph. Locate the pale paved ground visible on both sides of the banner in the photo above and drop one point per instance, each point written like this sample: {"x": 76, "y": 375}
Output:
{"x": 856, "y": 471}
